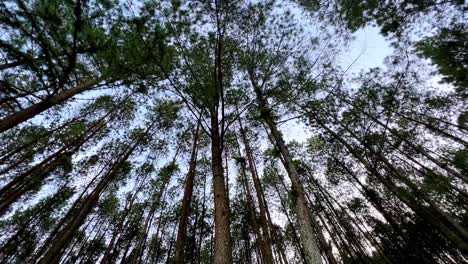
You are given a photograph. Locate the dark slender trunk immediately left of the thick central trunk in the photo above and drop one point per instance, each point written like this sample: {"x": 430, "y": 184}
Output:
{"x": 186, "y": 201}
